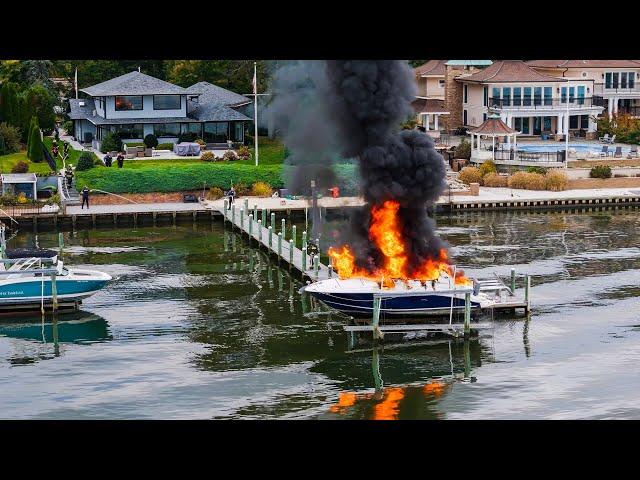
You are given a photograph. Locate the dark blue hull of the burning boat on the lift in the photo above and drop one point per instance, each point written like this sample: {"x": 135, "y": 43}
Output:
{"x": 361, "y": 304}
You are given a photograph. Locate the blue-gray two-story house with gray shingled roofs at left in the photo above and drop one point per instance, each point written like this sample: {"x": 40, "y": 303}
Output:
{"x": 136, "y": 104}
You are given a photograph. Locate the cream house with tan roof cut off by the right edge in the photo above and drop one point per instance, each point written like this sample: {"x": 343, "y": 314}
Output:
{"x": 616, "y": 83}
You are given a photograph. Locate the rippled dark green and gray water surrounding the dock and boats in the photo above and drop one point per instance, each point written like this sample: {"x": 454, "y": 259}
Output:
{"x": 198, "y": 325}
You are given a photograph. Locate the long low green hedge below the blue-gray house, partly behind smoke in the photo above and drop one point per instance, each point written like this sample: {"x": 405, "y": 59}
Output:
{"x": 190, "y": 177}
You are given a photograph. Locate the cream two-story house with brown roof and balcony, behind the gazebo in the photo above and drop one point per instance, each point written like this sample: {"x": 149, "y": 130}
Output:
{"x": 531, "y": 102}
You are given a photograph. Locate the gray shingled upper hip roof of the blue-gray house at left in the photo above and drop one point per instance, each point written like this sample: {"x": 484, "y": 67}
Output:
{"x": 135, "y": 83}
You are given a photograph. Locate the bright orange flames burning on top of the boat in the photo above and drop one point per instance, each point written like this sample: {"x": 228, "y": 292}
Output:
{"x": 386, "y": 232}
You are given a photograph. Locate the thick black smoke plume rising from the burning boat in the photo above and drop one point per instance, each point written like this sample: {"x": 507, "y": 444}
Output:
{"x": 368, "y": 102}
